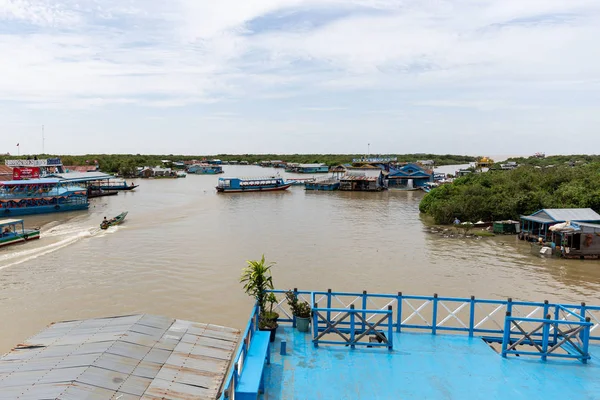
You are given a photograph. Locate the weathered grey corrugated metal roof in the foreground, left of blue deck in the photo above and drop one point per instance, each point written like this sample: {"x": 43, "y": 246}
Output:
{"x": 127, "y": 357}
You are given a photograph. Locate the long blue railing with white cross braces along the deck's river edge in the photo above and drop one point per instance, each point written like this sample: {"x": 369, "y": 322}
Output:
{"x": 436, "y": 314}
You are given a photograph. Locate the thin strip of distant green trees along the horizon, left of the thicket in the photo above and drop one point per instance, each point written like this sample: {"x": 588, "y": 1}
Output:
{"x": 126, "y": 163}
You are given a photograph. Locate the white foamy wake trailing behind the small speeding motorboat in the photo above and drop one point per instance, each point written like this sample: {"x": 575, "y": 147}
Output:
{"x": 73, "y": 235}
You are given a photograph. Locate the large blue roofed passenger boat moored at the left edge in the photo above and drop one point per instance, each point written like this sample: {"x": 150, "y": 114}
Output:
{"x": 39, "y": 196}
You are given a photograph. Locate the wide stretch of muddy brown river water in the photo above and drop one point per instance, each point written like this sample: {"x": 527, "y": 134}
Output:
{"x": 182, "y": 247}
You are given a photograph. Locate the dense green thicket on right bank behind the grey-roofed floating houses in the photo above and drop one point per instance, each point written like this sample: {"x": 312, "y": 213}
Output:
{"x": 500, "y": 195}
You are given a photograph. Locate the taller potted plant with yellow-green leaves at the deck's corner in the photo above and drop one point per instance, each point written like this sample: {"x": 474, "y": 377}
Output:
{"x": 257, "y": 280}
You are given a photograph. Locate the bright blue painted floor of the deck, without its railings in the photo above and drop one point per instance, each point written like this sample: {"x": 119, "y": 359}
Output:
{"x": 422, "y": 366}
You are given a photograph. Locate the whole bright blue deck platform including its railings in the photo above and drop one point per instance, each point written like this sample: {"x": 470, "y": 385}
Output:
{"x": 396, "y": 346}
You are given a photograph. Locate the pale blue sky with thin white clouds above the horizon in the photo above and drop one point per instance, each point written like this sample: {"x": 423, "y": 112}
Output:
{"x": 300, "y": 76}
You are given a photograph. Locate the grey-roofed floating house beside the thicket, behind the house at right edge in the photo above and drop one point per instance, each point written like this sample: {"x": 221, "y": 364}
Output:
{"x": 537, "y": 225}
